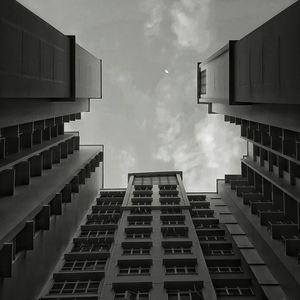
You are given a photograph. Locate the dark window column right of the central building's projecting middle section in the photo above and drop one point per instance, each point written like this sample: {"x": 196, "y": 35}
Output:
{"x": 224, "y": 264}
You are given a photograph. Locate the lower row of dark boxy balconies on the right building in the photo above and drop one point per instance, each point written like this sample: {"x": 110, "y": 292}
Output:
{"x": 275, "y": 209}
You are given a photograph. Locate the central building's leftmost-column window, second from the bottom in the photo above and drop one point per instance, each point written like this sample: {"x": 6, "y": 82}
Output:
{"x": 84, "y": 265}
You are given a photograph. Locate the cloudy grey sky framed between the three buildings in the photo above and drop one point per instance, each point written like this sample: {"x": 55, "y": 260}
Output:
{"x": 148, "y": 118}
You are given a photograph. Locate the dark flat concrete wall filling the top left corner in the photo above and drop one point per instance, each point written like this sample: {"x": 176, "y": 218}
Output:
{"x": 34, "y": 57}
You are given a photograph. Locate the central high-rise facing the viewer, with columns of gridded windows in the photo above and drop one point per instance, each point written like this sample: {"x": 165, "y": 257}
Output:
{"x": 155, "y": 241}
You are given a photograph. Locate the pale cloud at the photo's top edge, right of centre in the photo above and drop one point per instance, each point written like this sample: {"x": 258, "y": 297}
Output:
{"x": 189, "y": 24}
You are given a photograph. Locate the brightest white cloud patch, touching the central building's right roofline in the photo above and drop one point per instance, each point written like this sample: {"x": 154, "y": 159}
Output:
{"x": 211, "y": 149}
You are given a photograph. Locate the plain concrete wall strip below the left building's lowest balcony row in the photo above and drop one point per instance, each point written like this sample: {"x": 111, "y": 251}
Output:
{"x": 31, "y": 269}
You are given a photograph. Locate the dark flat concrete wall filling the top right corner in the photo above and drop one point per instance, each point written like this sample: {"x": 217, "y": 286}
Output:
{"x": 267, "y": 61}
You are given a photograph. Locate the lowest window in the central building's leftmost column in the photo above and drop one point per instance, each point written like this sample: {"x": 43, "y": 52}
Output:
{"x": 75, "y": 287}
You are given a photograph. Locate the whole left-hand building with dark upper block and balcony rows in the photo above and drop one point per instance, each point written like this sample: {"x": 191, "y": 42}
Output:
{"x": 47, "y": 179}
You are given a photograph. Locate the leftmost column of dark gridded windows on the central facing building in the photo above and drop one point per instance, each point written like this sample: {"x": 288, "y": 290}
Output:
{"x": 83, "y": 267}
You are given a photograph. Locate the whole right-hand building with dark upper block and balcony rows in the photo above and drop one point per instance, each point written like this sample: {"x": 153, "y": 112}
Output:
{"x": 254, "y": 83}
